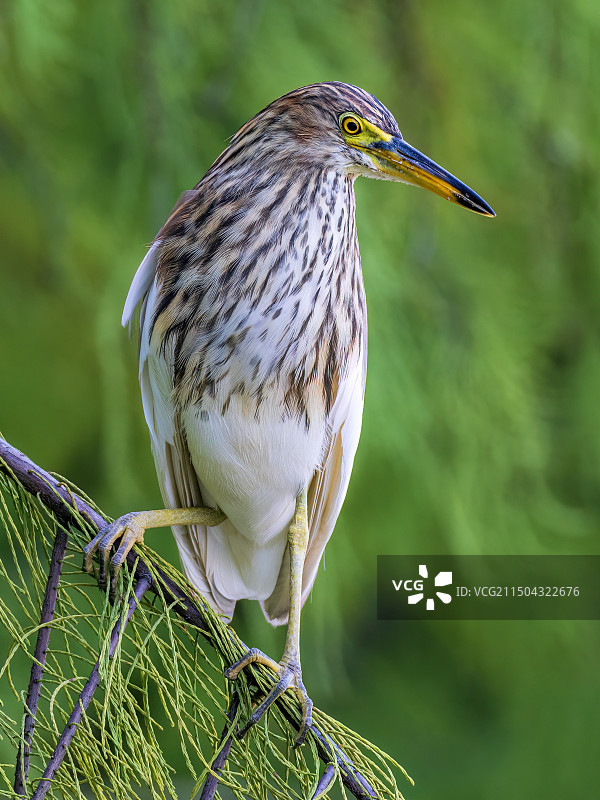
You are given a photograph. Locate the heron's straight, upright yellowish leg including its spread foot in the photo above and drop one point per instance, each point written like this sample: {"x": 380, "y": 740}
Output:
{"x": 288, "y": 670}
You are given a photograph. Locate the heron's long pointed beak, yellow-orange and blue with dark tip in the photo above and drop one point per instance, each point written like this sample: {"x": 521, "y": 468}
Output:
{"x": 399, "y": 160}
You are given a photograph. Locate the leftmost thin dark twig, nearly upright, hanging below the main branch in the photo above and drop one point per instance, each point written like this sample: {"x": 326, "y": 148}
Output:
{"x": 39, "y": 660}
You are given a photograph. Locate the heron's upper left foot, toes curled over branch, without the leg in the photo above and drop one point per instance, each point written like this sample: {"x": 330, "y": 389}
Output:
{"x": 130, "y": 529}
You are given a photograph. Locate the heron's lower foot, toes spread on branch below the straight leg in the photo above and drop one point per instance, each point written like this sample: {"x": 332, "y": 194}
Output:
{"x": 289, "y": 676}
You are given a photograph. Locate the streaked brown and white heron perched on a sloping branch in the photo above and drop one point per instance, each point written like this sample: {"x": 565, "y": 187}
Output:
{"x": 253, "y": 356}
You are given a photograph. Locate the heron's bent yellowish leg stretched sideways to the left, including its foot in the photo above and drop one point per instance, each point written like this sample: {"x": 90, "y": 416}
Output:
{"x": 130, "y": 529}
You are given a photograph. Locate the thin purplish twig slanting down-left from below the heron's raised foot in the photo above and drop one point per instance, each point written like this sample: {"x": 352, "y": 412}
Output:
{"x": 86, "y": 695}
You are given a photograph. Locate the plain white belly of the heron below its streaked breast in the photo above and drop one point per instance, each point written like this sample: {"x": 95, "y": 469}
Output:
{"x": 253, "y": 470}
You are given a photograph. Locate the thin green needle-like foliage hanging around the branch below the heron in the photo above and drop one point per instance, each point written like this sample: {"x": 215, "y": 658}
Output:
{"x": 162, "y": 690}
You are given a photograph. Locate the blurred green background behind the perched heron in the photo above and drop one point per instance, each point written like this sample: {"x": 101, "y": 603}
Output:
{"x": 480, "y": 432}
